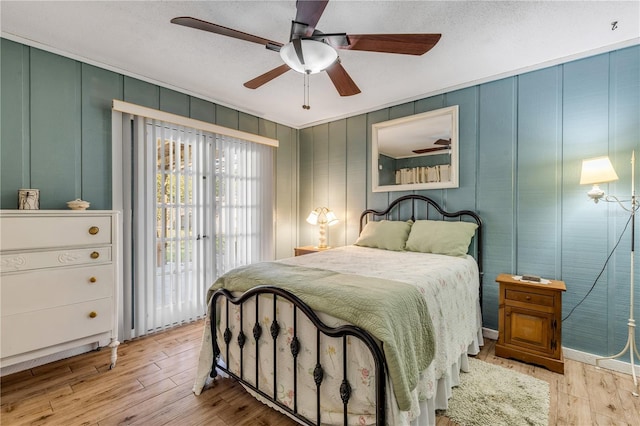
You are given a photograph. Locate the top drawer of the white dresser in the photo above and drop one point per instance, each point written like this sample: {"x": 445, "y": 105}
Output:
{"x": 37, "y": 232}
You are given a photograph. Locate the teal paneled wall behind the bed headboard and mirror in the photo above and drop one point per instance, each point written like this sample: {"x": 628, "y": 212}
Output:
{"x": 522, "y": 140}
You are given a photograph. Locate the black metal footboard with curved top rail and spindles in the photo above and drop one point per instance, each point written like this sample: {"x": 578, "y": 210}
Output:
{"x": 296, "y": 343}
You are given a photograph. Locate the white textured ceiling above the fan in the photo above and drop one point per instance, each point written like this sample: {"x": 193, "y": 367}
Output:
{"x": 481, "y": 41}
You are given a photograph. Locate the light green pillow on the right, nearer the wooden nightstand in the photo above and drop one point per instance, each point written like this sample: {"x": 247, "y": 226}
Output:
{"x": 440, "y": 237}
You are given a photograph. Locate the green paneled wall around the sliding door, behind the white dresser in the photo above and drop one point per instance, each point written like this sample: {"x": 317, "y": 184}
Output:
{"x": 56, "y": 131}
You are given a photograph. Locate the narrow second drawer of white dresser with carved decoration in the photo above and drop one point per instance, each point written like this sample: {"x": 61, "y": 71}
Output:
{"x": 54, "y": 258}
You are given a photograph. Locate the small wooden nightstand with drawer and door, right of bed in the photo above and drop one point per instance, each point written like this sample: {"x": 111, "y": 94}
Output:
{"x": 530, "y": 322}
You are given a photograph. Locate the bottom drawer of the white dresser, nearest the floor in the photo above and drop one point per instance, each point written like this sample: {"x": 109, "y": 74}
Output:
{"x": 38, "y": 329}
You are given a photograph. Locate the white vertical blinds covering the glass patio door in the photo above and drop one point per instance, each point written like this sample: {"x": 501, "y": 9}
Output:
{"x": 202, "y": 203}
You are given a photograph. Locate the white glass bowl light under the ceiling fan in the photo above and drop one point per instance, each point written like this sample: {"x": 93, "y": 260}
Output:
{"x": 317, "y": 55}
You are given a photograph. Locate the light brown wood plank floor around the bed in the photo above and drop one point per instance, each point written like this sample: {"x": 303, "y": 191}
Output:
{"x": 151, "y": 385}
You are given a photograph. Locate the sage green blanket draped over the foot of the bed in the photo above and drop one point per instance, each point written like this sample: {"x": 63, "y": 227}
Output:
{"x": 394, "y": 312}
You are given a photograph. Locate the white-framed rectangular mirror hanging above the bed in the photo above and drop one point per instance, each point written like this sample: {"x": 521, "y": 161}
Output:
{"x": 416, "y": 152}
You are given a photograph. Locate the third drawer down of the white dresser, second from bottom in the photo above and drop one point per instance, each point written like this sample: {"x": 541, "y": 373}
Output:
{"x": 23, "y": 292}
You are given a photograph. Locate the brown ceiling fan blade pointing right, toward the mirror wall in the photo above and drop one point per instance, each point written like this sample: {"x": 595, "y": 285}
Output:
{"x": 405, "y": 44}
